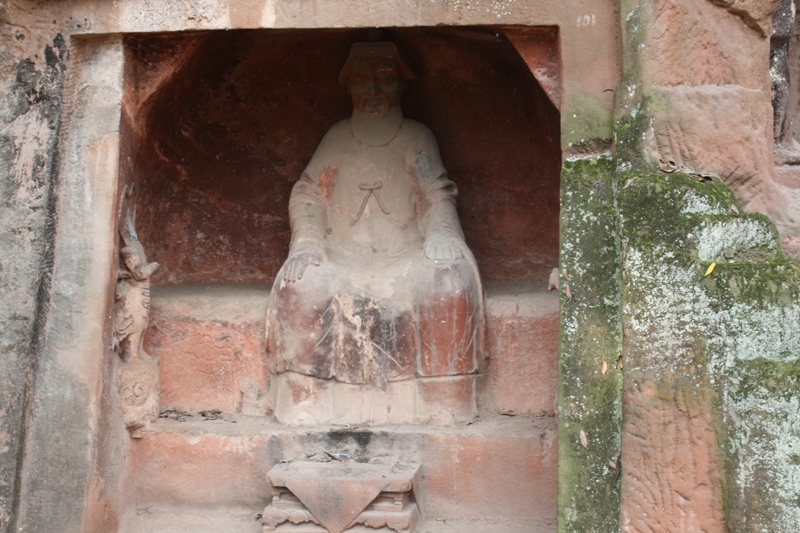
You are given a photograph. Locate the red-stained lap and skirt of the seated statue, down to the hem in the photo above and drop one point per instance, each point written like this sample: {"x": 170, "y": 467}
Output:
{"x": 371, "y": 325}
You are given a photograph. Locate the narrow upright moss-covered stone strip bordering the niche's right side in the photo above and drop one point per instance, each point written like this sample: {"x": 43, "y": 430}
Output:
{"x": 590, "y": 409}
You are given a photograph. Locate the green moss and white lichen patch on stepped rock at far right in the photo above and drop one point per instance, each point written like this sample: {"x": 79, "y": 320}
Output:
{"x": 732, "y": 333}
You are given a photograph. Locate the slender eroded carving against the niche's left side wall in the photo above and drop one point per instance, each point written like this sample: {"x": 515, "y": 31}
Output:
{"x": 138, "y": 373}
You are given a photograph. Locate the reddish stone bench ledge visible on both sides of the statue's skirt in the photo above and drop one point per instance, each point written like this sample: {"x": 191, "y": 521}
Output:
{"x": 210, "y": 343}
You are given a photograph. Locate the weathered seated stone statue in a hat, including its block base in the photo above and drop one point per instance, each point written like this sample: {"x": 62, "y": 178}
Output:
{"x": 377, "y": 315}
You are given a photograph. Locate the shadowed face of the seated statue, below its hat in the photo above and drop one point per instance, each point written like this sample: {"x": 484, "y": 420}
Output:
{"x": 375, "y": 85}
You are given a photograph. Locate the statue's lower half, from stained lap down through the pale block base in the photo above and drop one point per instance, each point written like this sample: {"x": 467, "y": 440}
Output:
{"x": 383, "y": 344}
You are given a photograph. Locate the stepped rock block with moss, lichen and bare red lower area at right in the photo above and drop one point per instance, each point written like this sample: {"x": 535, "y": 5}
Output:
{"x": 706, "y": 352}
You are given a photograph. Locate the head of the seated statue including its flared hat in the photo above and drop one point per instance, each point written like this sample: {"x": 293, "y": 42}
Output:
{"x": 376, "y": 74}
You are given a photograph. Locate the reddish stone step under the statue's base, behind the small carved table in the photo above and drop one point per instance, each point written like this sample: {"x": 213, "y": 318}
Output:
{"x": 498, "y": 468}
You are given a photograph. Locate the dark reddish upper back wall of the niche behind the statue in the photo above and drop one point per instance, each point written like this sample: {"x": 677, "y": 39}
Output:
{"x": 218, "y": 126}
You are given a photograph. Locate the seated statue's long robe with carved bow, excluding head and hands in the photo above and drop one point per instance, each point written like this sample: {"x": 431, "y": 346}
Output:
{"x": 376, "y": 310}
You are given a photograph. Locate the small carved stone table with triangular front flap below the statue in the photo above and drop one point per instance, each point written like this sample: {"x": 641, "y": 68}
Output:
{"x": 310, "y": 497}
